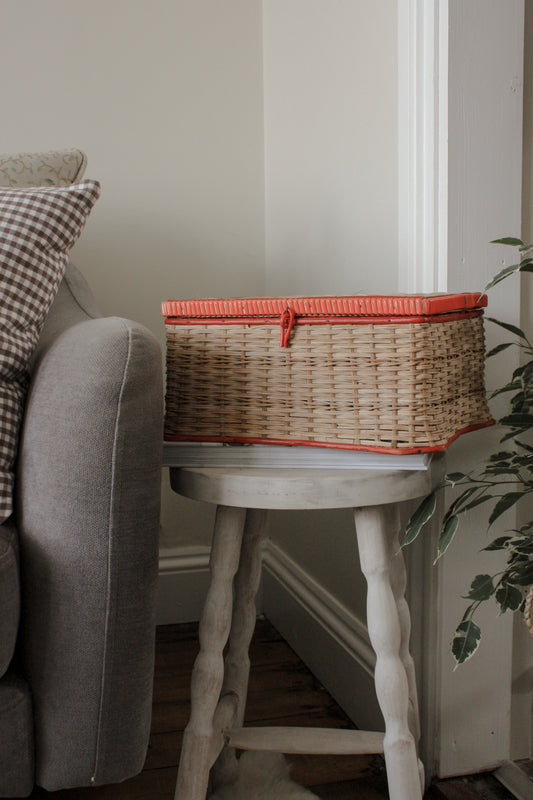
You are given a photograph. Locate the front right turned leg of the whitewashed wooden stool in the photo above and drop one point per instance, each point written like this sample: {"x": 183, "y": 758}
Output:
{"x": 388, "y": 627}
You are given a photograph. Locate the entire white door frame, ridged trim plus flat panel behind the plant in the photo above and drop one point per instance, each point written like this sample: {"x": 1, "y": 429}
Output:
{"x": 448, "y": 214}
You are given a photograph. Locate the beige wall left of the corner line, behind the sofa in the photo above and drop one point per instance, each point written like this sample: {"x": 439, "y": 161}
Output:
{"x": 165, "y": 97}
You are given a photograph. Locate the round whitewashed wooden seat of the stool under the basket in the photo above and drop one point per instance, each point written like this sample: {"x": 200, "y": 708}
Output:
{"x": 301, "y": 489}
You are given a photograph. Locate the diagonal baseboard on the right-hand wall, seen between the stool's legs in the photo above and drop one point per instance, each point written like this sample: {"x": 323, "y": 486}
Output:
{"x": 326, "y": 635}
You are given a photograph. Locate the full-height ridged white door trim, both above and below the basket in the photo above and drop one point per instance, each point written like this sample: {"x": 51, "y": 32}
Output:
{"x": 422, "y": 267}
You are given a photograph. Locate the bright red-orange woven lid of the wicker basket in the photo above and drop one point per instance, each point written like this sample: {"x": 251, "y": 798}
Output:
{"x": 325, "y": 306}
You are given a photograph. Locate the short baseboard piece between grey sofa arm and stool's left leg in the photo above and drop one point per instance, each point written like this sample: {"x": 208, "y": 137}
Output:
{"x": 182, "y": 586}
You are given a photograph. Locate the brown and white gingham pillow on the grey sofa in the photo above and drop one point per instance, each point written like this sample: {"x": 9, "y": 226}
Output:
{"x": 38, "y": 226}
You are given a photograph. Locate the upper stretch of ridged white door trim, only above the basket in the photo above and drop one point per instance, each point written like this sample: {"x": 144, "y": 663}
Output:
{"x": 422, "y": 143}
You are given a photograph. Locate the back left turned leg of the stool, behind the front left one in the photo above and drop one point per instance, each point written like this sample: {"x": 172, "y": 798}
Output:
{"x": 237, "y": 662}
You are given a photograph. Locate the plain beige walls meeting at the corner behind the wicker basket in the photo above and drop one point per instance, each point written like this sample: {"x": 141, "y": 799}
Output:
{"x": 167, "y": 99}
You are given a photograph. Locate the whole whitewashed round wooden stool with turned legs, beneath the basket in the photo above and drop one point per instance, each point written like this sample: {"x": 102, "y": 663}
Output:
{"x": 219, "y": 686}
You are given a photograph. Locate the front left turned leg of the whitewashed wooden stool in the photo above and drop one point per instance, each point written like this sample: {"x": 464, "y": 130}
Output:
{"x": 199, "y": 749}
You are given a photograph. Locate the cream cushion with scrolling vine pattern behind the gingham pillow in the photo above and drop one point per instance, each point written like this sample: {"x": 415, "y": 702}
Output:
{"x": 54, "y": 167}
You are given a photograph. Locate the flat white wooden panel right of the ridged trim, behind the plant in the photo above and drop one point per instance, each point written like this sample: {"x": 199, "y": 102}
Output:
{"x": 485, "y": 169}
